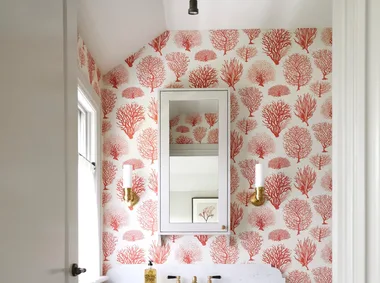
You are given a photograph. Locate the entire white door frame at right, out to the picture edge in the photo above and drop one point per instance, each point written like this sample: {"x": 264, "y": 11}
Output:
{"x": 356, "y": 121}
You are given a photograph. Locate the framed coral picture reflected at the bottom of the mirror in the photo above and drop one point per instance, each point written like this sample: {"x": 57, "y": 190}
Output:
{"x": 205, "y": 210}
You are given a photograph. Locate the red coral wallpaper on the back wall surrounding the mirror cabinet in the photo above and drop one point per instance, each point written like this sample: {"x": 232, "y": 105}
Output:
{"x": 280, "y": 82}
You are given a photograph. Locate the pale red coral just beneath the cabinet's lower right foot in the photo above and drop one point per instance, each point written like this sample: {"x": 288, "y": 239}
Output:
{"x": 223, "y": 251}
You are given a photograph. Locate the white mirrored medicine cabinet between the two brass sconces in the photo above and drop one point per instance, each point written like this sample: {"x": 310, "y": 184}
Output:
{"x": 194, "y": 161}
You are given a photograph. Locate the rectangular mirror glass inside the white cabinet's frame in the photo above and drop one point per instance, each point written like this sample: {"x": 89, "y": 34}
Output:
{"x": 194, "y": 172}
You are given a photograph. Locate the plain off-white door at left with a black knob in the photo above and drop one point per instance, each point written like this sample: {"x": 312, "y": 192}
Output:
{"x": 37, "y": 142}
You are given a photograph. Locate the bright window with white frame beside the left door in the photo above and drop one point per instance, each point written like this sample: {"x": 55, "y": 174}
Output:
{"x": 89, "y": 227}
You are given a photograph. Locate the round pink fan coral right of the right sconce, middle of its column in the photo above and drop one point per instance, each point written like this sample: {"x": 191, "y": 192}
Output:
{"x": 297, "y": 143}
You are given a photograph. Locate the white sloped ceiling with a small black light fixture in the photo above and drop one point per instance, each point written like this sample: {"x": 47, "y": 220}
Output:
{"x": 115, "y": 28}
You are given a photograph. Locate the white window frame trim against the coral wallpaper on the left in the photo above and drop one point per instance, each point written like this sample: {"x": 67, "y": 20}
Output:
{"x": 91, "y": 103}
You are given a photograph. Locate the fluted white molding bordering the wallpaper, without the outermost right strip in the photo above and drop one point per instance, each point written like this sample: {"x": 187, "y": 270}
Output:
{"x": 349, "y": 142}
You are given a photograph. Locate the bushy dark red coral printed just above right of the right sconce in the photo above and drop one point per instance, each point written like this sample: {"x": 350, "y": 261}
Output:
{"x": 276, "y": 116}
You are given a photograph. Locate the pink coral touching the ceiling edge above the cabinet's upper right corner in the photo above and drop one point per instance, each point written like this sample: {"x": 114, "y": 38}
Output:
{"x": 224, "y": 40}
